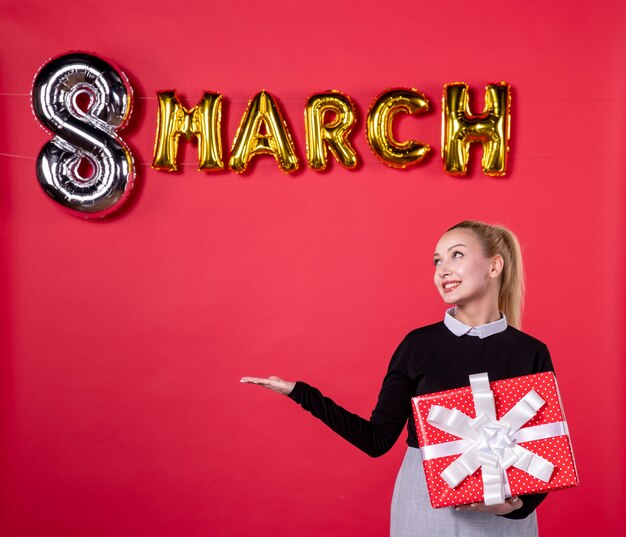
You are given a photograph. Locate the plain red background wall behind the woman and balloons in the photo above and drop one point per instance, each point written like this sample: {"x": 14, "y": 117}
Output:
{"x": 123, "y": 340}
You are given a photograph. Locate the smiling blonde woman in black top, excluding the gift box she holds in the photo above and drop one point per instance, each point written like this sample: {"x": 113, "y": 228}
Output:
{"x": 478, "y": 268}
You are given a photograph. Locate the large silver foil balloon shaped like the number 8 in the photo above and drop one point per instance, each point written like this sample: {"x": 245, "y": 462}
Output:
{"x": 83, "y": 101}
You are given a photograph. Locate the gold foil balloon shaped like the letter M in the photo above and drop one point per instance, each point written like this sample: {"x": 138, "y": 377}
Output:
{"x": 202, "y": 121}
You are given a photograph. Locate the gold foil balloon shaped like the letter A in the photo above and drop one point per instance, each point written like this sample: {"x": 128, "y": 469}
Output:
{"x": 263, "y": 131}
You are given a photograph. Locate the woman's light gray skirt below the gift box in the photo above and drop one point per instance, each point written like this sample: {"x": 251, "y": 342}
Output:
{"x": 413, "y": 516}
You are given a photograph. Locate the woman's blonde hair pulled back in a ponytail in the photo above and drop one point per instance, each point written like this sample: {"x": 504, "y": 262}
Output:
{"x": 498, "y": 240}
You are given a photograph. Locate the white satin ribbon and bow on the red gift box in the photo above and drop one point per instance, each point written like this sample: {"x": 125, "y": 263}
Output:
{"x": 490, "y": 444}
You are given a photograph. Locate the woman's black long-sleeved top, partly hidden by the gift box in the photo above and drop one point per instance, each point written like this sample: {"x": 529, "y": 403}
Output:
{"x": 430, "y": 359}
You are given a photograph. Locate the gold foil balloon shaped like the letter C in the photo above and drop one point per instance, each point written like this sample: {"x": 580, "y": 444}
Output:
{"x": 380, "y": 127}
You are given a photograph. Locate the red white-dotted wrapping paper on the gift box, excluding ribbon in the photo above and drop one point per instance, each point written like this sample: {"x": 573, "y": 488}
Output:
{"x": 507, "y": 393}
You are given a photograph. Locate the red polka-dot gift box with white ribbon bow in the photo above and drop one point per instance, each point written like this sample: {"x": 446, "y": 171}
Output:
{"x": 490, "y": 441}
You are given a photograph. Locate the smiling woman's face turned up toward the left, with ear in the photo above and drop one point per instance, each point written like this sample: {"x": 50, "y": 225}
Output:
{"x": 462, "y": 272}
